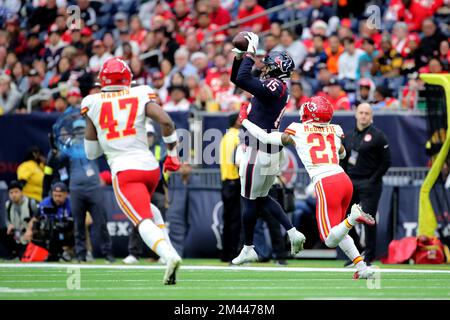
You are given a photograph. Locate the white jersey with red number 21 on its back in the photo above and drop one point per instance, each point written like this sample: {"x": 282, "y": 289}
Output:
{"x": 318, "y": 148}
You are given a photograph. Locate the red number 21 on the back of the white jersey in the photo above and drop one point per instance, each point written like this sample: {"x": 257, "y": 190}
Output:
{"x": 323, "y": 150}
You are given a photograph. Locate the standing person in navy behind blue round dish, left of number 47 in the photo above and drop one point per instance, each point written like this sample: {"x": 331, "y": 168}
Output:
{"x": 70, "y": 163}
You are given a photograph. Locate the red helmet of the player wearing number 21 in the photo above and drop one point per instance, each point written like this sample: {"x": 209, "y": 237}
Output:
{"x": 317, "y": 110}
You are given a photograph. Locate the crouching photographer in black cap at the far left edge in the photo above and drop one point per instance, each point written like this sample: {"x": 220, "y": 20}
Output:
{"x": 20, "y": 210}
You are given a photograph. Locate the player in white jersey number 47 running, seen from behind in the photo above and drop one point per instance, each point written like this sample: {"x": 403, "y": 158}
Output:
{"x": 115, "y": 126}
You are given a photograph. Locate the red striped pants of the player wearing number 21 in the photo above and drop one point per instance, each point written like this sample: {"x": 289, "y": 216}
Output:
{"x": 333, "y": 195}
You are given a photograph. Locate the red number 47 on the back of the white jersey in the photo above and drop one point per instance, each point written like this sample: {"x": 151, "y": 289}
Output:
{"x": 108, "y": 122}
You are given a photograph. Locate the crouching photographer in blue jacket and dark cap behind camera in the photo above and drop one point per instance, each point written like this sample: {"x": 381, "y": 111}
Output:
{"x": 54, "y": 228}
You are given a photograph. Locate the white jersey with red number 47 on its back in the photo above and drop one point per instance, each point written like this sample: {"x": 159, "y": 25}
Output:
{"x": 119, "y": 118}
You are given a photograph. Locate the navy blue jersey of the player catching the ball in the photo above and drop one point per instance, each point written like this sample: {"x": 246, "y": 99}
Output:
{"x": 269, "y": 95}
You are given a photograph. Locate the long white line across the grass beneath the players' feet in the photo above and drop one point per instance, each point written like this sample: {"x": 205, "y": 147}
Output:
{"x": 224, "y": 268}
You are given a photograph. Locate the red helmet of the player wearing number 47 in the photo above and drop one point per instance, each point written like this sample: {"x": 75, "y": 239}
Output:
{"x": 115, "y": 72}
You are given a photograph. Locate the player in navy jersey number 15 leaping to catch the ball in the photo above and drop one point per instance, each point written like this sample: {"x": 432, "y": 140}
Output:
{"x": 260, "y": 164}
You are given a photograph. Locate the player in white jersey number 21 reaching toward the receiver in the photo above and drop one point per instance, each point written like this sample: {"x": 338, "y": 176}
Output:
{"x": 318, "y": 144}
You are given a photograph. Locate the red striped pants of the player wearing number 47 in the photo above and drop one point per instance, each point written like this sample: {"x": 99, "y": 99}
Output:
{"x": 133, "y": 190}
